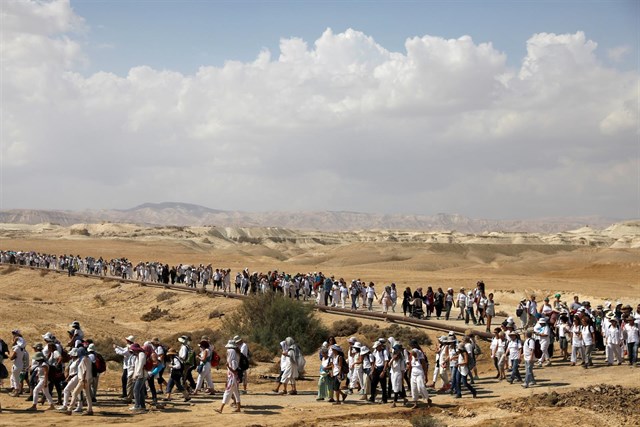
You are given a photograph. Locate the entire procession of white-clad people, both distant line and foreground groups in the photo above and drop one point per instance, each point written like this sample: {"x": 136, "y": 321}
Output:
{"x": 385, "y": 370}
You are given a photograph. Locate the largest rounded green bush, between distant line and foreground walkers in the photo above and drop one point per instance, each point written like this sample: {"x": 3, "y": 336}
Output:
{"x": 269, "y": 319}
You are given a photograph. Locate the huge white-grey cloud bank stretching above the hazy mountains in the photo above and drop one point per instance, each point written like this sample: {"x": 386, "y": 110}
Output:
{"x": 337, "y": 123}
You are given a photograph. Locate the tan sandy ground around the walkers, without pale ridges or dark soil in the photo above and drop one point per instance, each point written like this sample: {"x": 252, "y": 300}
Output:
{"x": 109, "y": 310}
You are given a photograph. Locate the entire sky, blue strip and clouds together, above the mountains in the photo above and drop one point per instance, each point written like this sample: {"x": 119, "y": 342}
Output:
{"x": 493, "y": 109}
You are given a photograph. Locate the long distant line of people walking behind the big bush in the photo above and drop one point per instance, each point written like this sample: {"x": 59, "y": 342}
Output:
{"x": 324, "y": 290}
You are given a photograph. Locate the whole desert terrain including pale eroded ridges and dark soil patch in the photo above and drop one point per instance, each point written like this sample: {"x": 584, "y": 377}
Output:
{"x": 596, "y": 264}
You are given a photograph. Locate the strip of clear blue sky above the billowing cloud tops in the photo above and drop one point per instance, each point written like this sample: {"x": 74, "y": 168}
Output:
{"x": 184, "y": 35}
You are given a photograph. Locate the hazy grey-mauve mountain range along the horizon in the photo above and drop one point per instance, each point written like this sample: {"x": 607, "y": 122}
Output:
{"x": 185, "y": 214}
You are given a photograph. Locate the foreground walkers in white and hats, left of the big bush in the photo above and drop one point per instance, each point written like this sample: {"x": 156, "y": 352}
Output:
{"x": 72, "y": 368}
